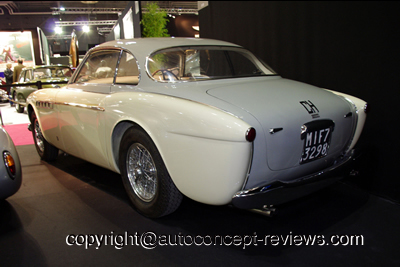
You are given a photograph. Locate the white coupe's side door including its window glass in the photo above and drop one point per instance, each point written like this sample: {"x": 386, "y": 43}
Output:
{"x": 81, "y": 107}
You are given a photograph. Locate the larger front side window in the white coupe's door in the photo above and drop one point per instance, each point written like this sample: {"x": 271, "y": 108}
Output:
{"x": 99, "y": 67}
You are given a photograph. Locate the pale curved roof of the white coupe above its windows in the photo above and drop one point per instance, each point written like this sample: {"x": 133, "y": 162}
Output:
{"x": 148, "y": 45}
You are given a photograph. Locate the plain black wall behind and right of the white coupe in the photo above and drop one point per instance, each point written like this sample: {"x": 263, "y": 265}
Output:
{"x": 351, "y": 47}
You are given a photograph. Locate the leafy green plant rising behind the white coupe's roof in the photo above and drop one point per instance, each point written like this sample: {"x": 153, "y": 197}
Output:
{"x": 154, "y": 21}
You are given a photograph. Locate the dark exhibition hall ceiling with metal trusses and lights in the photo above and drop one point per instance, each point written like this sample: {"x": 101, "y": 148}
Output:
{"x": 19, "y": 15}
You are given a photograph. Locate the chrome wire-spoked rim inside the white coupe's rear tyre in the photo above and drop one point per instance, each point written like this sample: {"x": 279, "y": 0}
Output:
{"x": 142, "y": 172}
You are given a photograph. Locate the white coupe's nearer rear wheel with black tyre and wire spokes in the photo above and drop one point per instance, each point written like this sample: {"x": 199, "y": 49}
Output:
{"x": 145, "y": 177}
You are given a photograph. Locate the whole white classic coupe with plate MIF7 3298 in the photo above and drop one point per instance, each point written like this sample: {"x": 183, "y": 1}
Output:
{"x": 197, "y": 117}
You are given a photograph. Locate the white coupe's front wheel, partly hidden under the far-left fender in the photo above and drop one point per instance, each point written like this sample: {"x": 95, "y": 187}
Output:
{"x": 45, "y": 150}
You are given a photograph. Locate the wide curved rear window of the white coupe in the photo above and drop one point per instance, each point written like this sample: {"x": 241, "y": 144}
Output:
{"x": 204, "y": 63}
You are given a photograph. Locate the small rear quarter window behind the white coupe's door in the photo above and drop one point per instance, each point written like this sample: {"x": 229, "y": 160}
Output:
{"x": 128, "y": 70}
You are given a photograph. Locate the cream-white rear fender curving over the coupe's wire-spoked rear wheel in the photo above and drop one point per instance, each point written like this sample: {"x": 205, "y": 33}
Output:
{"x": 203, "y": 148}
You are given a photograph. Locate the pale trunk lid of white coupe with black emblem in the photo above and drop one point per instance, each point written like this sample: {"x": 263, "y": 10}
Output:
{"x": 282, "y": 107}
